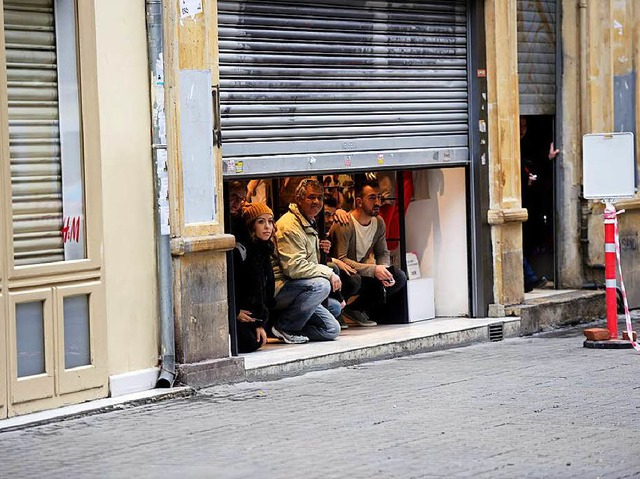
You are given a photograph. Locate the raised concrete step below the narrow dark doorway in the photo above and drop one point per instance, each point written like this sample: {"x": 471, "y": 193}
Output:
{"x": 544, "y": 310}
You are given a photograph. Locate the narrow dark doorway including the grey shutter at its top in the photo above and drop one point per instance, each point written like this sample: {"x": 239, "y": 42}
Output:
{"x": 538, "y": 72}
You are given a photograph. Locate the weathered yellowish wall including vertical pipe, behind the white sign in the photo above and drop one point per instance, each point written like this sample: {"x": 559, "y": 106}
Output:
{"x": 599, "y": 94}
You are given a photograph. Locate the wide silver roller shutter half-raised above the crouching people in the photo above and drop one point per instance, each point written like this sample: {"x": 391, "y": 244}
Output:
{"x": 336, "y": 83}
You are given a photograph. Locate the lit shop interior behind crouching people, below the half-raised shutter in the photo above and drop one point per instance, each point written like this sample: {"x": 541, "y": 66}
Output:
{"x": 425, "y": 212}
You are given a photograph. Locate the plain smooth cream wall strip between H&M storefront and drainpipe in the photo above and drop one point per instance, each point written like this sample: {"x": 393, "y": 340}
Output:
{"x": 129, "y": 251}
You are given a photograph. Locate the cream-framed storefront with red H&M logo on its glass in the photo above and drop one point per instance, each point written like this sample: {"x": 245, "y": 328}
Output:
{"x": 52, "y": 291}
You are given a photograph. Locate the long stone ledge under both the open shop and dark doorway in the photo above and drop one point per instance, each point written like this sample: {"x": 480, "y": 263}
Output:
{"x": 543, "y": 309}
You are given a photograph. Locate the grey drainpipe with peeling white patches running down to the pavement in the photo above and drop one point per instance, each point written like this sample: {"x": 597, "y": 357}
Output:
{"x": 159, "y": 155}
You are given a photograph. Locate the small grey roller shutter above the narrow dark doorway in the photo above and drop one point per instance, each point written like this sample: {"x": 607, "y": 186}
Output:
{"x": 537, "y": 56}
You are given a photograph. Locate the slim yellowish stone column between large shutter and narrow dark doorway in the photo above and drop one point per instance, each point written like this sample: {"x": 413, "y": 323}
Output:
{"x": 506, "y": 213}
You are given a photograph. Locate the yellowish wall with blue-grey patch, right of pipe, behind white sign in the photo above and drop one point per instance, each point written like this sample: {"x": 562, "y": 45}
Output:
{"x": 613, "y": 30}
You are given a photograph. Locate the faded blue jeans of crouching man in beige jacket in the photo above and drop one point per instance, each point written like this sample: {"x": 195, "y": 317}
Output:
{"x": 298, "y": 309}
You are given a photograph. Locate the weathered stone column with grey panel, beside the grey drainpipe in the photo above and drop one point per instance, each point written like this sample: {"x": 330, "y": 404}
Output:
{"x": 198, "y": 242}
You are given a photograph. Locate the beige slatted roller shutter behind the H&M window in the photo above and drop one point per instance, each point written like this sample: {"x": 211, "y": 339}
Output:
{"x": 33, "y": 131}
